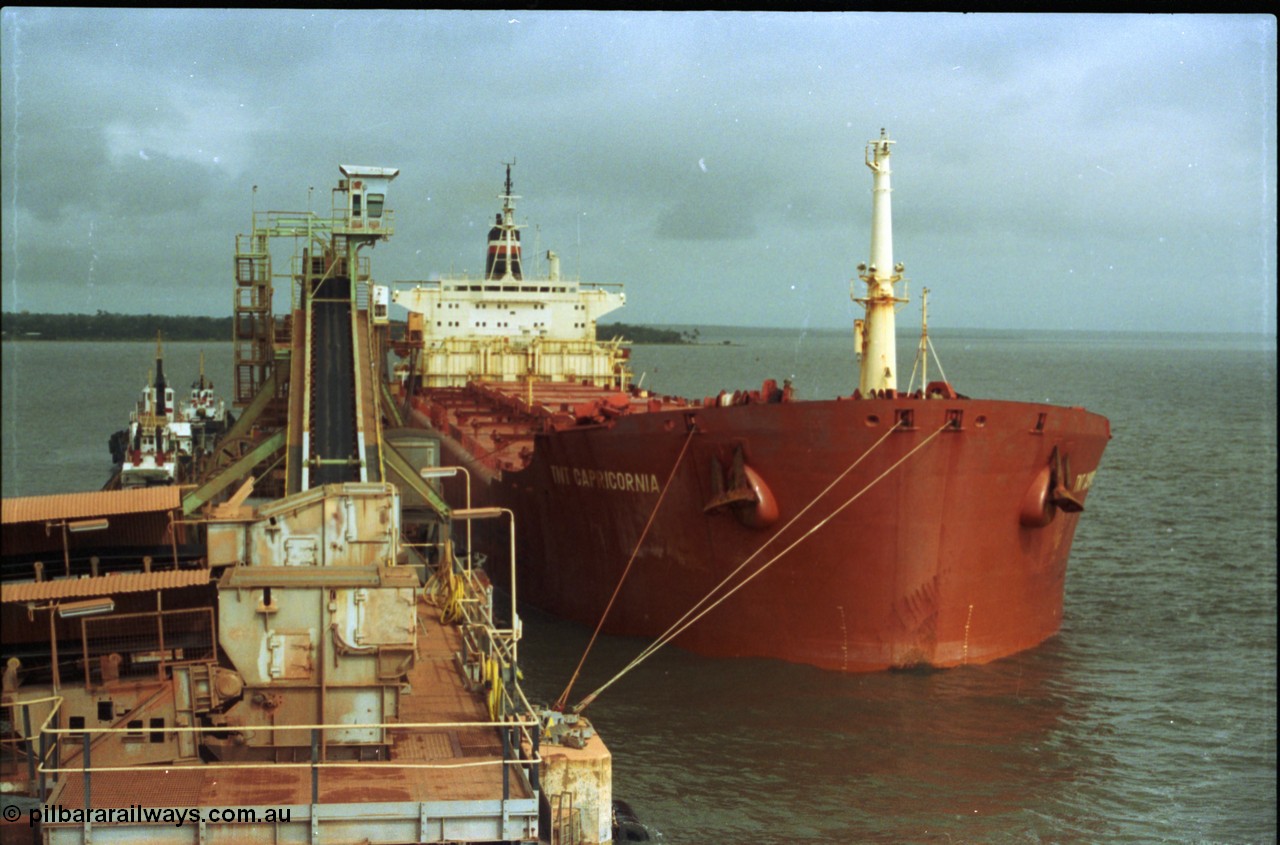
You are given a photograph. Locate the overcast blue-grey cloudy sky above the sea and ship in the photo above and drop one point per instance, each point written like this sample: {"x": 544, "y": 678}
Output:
{"x": 1050, "y": 171}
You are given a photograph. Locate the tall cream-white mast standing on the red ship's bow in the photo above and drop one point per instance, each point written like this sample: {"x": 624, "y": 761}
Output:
{"x": 876, "y": 337}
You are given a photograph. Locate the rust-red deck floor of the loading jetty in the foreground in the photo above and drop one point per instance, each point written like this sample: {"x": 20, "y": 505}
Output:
{"x": 460, "y": 797}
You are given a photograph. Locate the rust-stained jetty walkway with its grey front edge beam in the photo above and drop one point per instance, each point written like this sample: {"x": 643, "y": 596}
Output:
{"x": 447, "y": 780}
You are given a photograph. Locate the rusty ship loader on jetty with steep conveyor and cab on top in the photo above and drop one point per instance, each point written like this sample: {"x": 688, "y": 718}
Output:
{"x": 289, "y": 650}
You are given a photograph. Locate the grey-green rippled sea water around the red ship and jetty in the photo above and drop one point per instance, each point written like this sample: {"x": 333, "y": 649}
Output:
{"x": 1150, "y": 719}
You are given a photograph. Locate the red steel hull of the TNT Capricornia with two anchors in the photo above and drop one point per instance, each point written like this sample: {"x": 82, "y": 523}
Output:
{"x": 947, "y": 545}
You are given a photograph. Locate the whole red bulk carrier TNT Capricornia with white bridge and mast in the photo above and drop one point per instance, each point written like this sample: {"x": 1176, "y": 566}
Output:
{"x": 885, "y": 529}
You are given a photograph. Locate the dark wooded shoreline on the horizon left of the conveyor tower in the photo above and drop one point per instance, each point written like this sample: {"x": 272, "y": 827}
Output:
{"x": 104, "y": 326}
